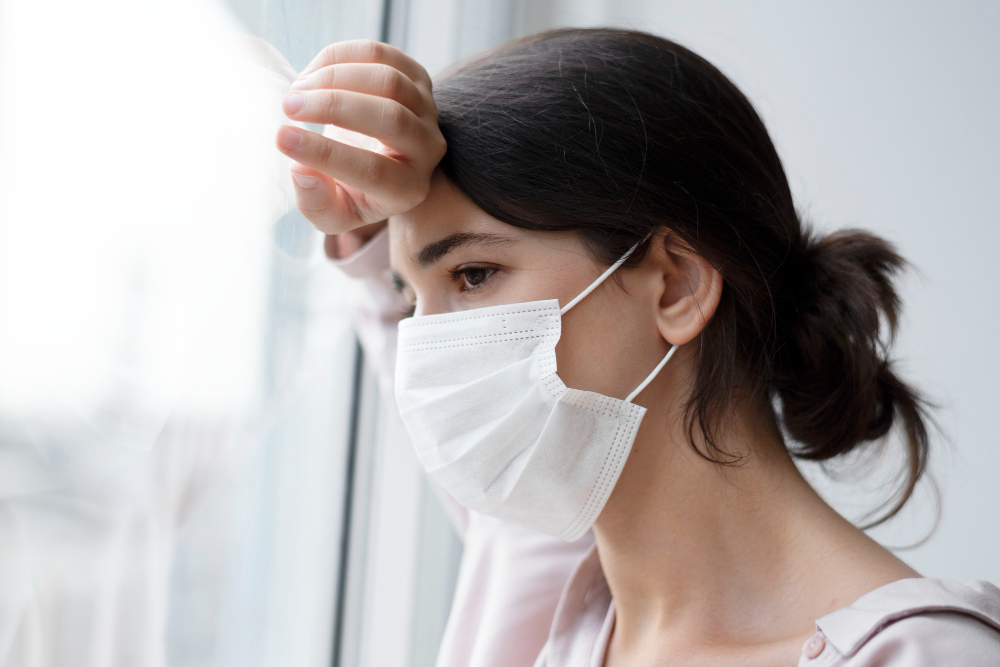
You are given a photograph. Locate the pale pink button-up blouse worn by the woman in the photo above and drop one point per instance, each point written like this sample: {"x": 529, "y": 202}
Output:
{"x": 525, "y": 599}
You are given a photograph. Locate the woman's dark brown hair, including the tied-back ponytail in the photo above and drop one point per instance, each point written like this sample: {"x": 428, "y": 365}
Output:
{"x": 613, "y": 133}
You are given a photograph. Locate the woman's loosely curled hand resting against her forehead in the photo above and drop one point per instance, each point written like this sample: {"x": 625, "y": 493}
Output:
{"x": 383, "y": 143}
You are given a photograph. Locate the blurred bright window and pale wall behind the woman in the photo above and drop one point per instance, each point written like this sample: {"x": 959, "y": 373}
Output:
{"x": 196, "y": 468}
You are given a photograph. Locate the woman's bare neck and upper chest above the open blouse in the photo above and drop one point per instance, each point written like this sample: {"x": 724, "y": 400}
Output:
{"x": 717, "y": 554}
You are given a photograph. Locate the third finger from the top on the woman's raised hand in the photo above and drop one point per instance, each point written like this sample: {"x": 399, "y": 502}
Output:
{"x": 386, "y": 120}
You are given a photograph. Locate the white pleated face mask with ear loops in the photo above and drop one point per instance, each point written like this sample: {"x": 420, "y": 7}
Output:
{"x": 496, "y": 427}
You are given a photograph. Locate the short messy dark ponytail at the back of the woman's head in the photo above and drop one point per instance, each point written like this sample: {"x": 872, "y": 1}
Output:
{"x": 836, "y": 383}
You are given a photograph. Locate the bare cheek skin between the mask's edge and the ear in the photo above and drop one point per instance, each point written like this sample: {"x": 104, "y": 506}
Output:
{"x": 607, "y": 342}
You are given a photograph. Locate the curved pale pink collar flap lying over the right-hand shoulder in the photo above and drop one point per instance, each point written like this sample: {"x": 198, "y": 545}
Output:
{"x": 849, "y": 628}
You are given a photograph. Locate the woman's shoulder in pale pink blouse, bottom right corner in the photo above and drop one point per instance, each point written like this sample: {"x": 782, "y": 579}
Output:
{"x": 915, "y": 622}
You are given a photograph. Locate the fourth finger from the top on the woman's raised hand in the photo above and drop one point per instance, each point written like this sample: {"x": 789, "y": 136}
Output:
{"x": 377, "y": 175}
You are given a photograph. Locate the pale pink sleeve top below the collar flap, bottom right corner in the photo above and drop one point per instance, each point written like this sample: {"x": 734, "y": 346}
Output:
{"x": 930, "y": 639}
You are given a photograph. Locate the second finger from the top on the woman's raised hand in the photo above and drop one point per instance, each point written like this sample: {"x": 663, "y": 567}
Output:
{"x": 371, "y": 78}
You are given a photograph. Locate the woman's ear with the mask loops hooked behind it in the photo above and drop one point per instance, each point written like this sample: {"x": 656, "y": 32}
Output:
{"x": 691, "y": 289}
